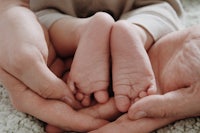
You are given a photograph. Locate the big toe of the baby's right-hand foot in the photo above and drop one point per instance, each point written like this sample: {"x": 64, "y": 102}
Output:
{"x": 122, "y": 102}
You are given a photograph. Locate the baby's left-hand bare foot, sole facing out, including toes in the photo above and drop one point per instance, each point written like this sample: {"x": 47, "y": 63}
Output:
{"x": 89, "y": 72}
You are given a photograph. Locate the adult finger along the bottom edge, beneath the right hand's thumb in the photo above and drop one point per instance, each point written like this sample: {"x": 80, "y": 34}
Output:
{"x": 125, "y": 125}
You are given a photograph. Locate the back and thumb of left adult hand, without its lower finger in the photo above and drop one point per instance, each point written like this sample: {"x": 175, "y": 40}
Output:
{"x": 24, "y": 54}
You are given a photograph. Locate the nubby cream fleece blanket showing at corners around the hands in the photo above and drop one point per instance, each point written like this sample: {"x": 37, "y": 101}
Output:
{"x": 12, "y": 121}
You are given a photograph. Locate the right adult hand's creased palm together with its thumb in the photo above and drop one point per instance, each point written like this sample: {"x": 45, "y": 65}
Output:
{"x": 176, "y": 60}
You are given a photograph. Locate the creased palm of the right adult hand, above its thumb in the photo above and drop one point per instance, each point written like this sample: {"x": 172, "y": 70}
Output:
{"x": 175, "y": 60}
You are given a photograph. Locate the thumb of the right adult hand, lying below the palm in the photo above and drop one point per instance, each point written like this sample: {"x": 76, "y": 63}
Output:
{"x": 180, "y": 104}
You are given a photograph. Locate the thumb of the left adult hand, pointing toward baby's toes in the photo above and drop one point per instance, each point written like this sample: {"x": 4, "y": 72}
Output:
{"x": 46, "y": 84}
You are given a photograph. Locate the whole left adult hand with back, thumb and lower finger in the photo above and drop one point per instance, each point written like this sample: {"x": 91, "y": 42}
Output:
{"x": 24, "y": 72}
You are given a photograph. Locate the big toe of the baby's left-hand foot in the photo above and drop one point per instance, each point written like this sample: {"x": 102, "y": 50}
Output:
{"x": 101, "y": 96}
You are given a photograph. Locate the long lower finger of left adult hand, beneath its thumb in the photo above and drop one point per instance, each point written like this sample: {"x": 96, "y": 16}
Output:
{"x": 29, "y": 102}
